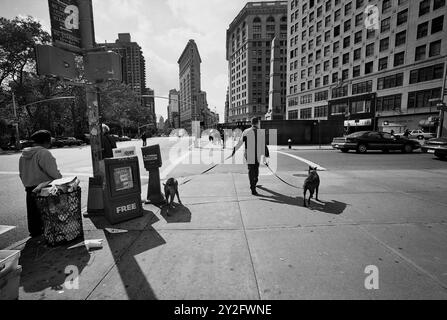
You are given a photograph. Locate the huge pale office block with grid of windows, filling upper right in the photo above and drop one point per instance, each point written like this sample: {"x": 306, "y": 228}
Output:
{"x": 375, "y": 68}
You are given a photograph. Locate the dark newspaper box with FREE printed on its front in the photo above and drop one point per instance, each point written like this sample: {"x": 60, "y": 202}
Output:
{"x": 122, "y": 190}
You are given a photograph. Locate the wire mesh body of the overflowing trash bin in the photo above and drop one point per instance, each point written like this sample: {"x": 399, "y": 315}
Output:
{"x": 62, "y": 217}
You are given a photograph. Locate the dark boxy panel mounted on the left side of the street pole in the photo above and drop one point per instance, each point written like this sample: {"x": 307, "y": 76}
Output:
{"x": 55, "y": 62}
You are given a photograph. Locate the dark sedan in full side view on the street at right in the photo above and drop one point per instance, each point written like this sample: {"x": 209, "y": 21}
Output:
{"x": 363, "y": 141}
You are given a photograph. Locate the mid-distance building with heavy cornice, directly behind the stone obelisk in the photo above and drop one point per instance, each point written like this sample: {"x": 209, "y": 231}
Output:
{"x": 249, "y": 39}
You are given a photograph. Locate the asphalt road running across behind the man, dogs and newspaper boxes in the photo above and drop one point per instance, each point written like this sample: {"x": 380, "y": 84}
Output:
{"x": 181, "y": 162}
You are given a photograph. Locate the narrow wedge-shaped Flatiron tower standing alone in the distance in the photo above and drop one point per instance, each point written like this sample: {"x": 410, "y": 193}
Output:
{"x": 191, "y": 96}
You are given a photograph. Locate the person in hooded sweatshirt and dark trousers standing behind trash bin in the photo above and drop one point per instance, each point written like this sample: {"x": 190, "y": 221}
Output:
{"x": 37, "y": 165}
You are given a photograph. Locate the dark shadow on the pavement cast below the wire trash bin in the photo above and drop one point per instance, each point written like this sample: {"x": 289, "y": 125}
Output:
{"x": 44, "y": 267}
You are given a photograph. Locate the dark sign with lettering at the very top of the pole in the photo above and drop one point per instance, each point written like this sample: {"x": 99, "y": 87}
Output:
{"x": 65, "y": 26}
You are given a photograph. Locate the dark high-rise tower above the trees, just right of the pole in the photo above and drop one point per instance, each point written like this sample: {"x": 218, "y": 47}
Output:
{"x": 134, "y": 65}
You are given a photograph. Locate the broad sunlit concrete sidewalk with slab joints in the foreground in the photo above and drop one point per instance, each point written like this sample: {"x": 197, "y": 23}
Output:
{"x": 226, "y": 244}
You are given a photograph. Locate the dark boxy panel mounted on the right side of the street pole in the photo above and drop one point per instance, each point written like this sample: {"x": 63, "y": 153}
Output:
{"x": 103, "y": 66}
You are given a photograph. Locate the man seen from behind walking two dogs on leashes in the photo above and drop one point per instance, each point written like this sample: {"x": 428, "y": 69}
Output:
{"x": 253, "y": 152}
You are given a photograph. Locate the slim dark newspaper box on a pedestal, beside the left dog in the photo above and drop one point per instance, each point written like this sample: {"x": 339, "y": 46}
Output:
{"x": 153, "y": 163}
